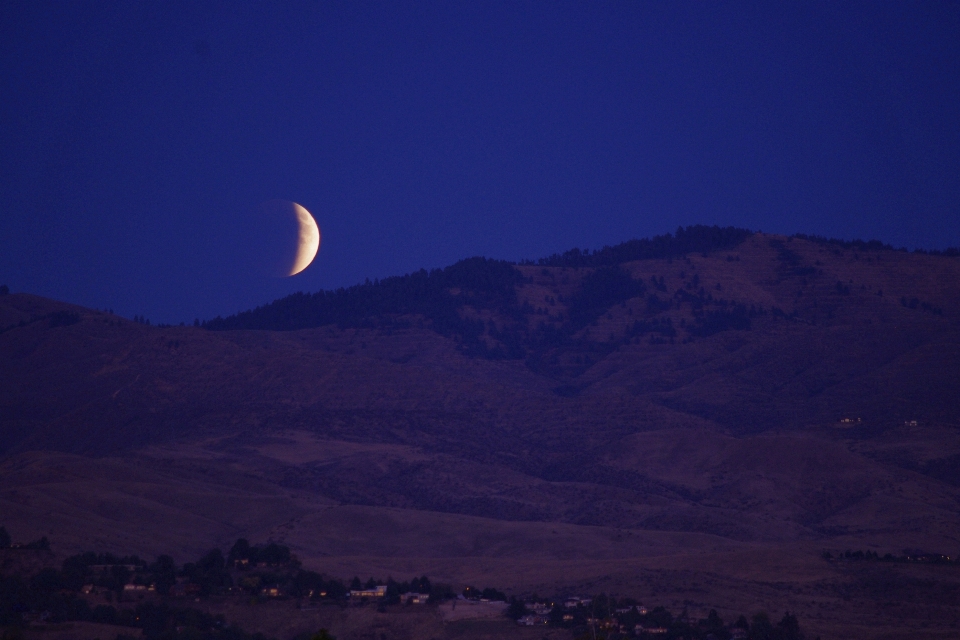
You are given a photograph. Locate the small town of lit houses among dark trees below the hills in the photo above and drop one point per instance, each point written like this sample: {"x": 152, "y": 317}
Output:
{"x": 165, "y": 600}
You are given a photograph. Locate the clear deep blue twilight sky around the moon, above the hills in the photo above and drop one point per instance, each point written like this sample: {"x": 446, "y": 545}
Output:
{"x": 136, "y": 137}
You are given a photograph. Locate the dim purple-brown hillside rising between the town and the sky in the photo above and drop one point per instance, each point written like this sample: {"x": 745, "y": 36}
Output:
{"x": 676, "y": 405}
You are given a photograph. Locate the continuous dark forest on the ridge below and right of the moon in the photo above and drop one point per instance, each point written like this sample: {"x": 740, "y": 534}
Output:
{"x": 440, "y": 296}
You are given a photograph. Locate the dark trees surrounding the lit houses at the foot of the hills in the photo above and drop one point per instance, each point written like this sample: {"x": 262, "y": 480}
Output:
{"x": 56, "y": 593}
